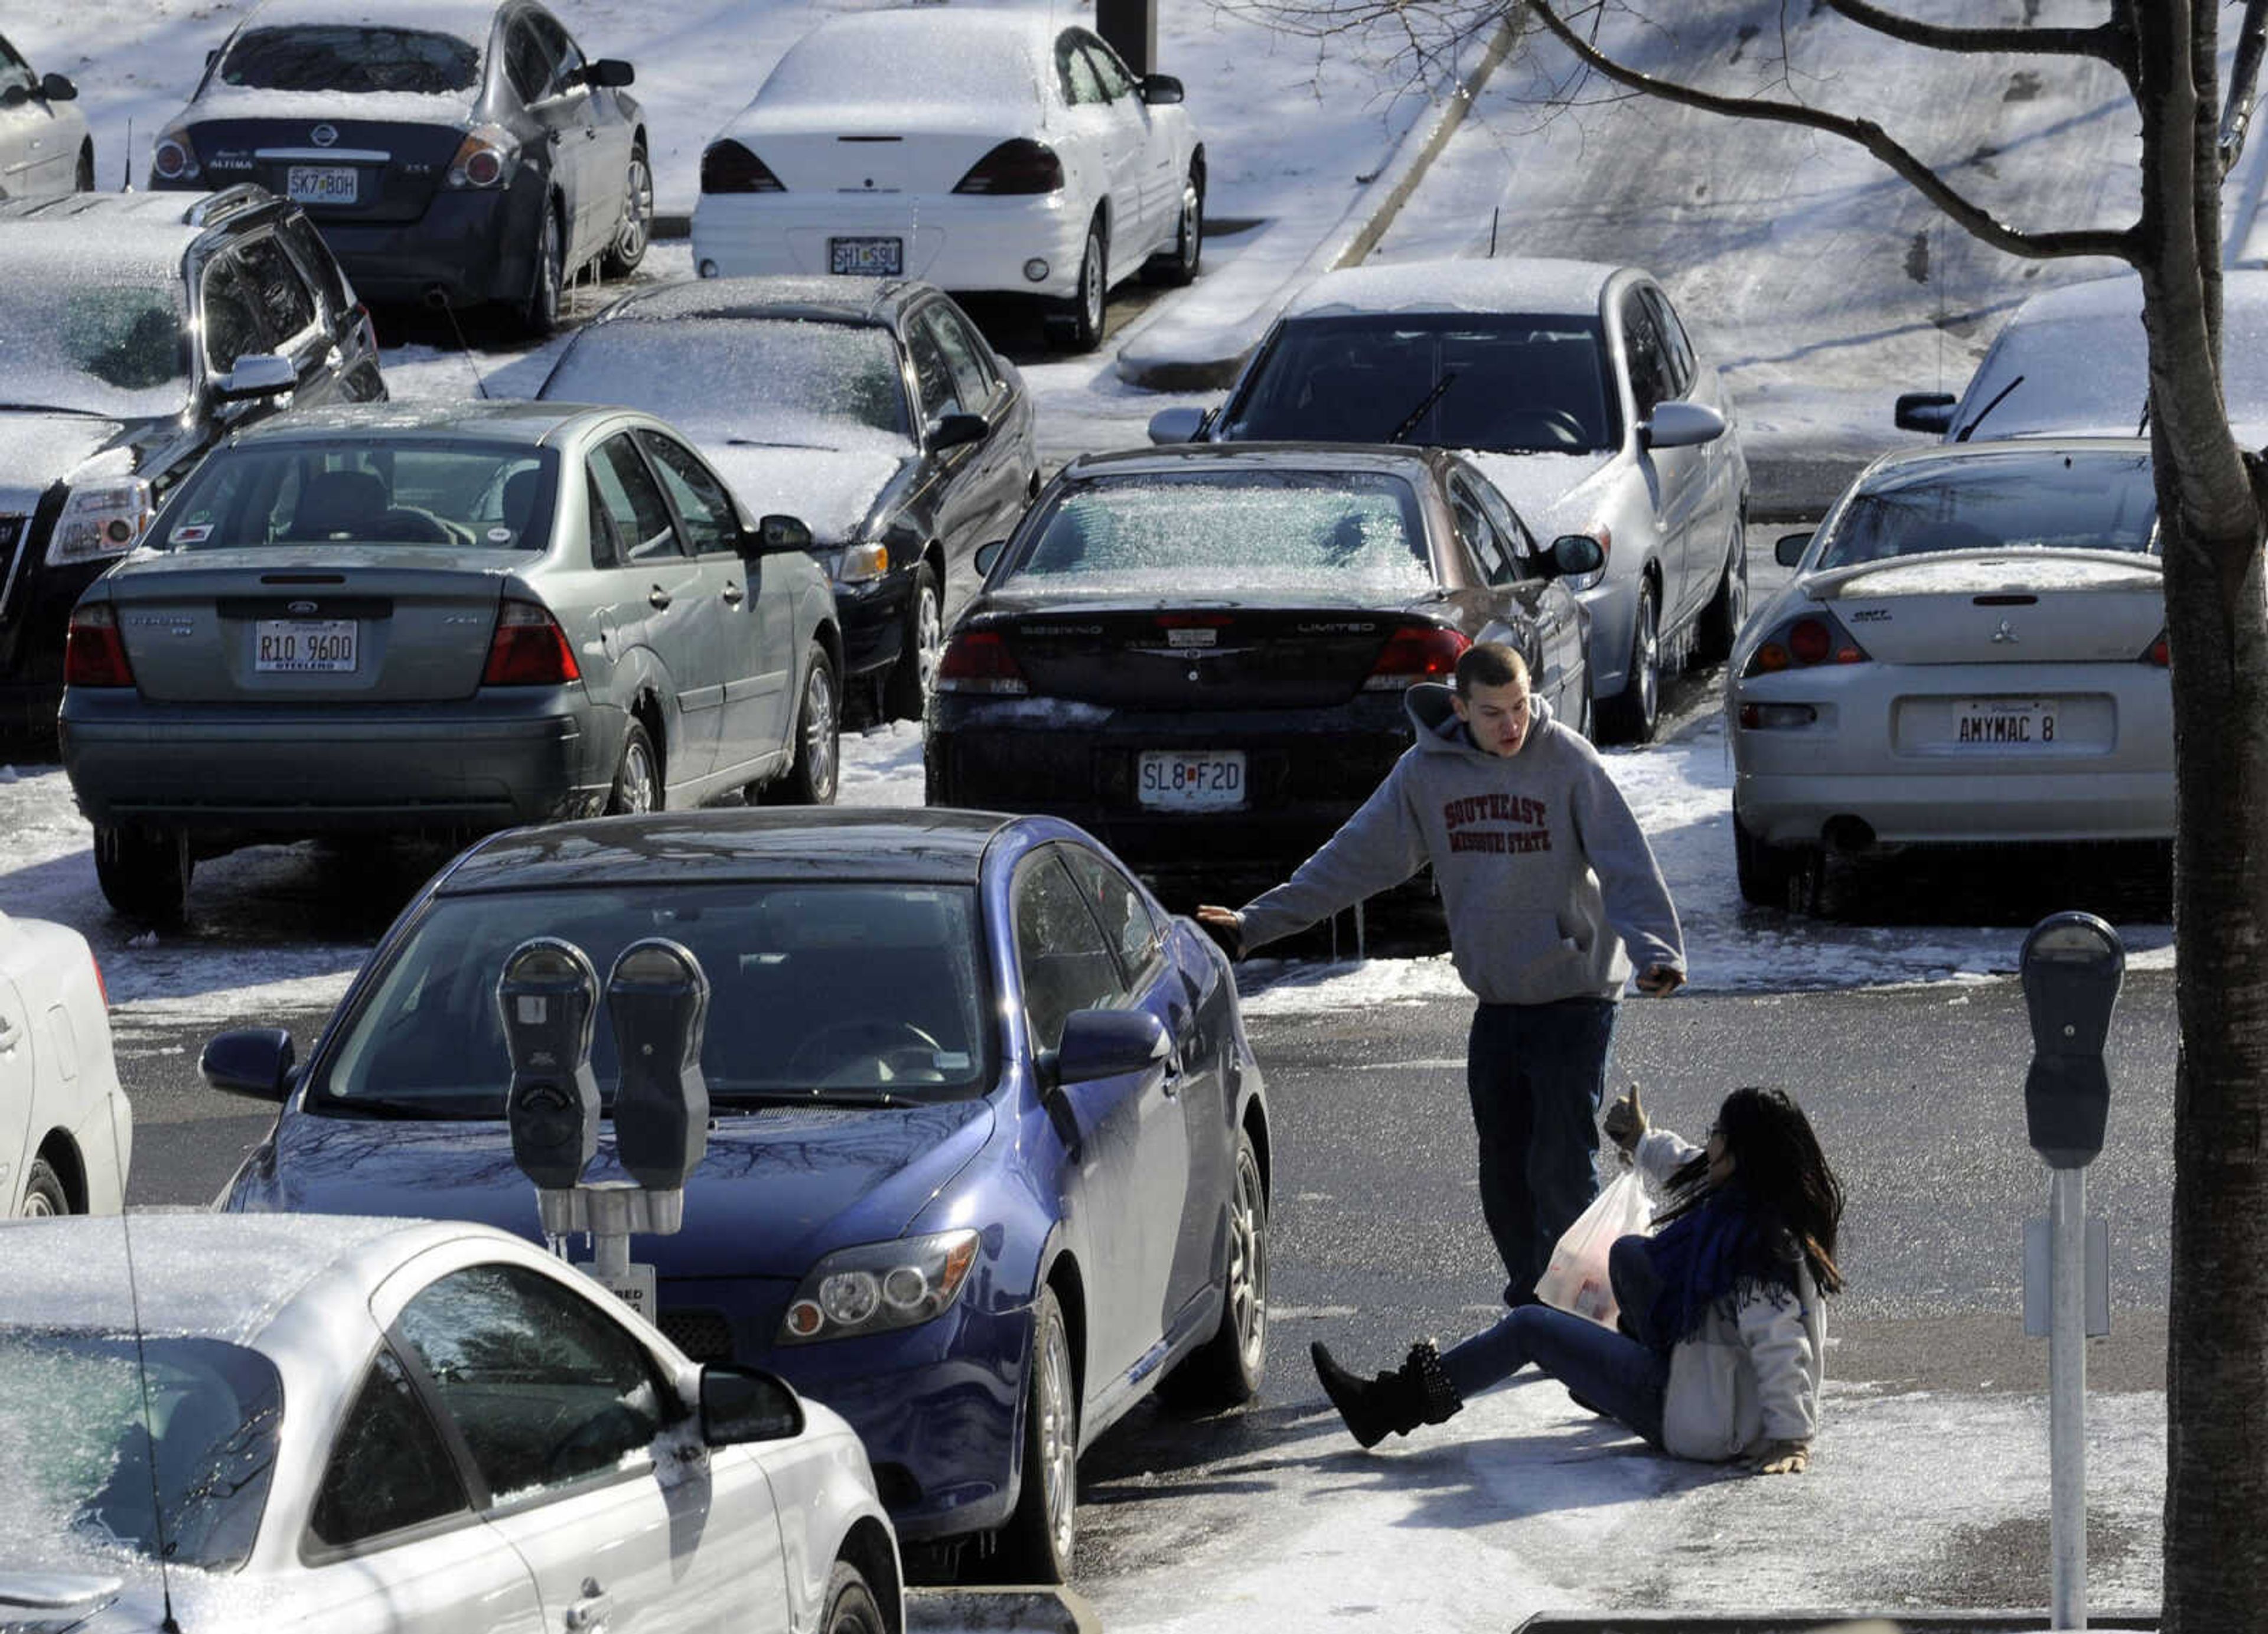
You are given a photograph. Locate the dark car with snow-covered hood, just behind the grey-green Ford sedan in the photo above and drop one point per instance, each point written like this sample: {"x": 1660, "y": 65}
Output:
{"x": 870, "y": 409}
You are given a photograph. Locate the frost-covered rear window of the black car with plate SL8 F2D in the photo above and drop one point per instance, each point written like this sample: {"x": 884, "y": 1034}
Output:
{"x": 1230, "y": 534}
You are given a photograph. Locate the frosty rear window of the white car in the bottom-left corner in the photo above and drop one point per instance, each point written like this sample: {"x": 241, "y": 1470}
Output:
{"x": 94, "y": 1470}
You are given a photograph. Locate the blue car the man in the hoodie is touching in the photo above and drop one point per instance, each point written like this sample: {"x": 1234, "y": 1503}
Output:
{"x": 990, "y": 1155}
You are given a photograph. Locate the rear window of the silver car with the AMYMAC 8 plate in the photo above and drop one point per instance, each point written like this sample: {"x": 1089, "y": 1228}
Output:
{"x": 2070, "y": 502}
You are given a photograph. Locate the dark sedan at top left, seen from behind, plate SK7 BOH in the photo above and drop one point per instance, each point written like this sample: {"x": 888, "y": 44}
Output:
{"x": 452, "y": 153}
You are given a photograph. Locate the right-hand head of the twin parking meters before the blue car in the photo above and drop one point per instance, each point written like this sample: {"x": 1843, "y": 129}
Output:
{"x": 659, "y": 1001}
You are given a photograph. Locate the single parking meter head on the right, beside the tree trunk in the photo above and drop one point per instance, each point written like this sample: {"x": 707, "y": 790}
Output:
{"x": 2072, "y": 971}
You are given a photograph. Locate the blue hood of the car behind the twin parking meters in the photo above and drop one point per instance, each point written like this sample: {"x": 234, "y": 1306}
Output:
{"x": 775, "y": 1193}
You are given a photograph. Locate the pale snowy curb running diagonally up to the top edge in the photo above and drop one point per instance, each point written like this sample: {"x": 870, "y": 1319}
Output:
{"x": 1208, "y": 355}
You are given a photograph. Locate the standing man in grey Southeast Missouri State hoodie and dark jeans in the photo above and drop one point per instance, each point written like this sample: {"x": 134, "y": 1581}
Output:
{"x": 1552, "y": 899}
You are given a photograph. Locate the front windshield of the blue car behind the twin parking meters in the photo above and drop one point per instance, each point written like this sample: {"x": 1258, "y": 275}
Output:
{"x": 818, "y": 992}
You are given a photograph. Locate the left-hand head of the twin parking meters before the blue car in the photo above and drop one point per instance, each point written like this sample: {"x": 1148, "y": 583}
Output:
{"x": 550, "y": 1003}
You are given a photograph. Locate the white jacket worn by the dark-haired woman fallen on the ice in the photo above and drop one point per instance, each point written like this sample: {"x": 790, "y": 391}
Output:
{"x": 1747, "y": 1379}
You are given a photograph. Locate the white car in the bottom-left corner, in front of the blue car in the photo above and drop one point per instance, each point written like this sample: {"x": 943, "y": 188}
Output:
{"x": 371, "y": 1427}
